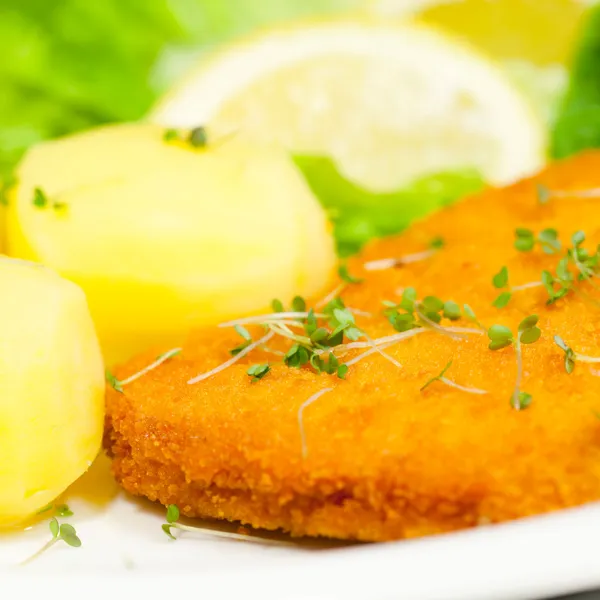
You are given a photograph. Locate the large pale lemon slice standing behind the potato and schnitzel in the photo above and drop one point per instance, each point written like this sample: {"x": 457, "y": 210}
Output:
{"x": 389, "y": 103}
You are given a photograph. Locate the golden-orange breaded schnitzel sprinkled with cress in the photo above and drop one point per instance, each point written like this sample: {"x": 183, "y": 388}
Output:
{"x": 382, "y": 459}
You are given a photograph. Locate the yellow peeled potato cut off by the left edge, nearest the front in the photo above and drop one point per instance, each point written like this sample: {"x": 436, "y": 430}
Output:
{"x": 51, "y": 388}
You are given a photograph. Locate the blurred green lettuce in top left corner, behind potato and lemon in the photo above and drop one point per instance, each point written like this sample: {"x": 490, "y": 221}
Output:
{"x": 71, "y": 64}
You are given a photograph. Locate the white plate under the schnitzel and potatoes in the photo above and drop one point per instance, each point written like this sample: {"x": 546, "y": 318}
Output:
{"x": 125, "y": 551}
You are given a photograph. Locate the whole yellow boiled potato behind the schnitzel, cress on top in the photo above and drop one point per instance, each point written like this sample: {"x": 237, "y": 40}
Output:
{"x": 164, "y": 236}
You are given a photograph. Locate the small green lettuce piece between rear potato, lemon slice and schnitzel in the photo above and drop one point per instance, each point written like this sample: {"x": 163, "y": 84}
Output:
{"x": 360, "y": 215}
